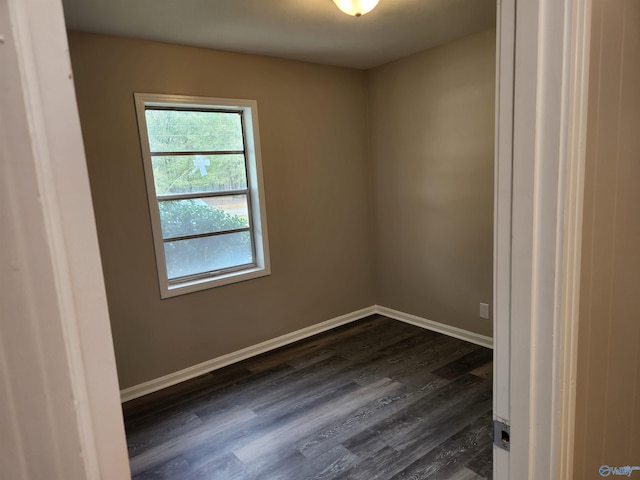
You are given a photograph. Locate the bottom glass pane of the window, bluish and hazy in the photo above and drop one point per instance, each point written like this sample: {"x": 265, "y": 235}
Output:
{"x": 190, "y": 257}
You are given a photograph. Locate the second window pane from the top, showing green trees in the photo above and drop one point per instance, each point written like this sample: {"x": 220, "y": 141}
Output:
{"x": 198, "y": 173}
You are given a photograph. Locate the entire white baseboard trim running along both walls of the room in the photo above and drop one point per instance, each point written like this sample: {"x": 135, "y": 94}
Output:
{"x": 233, "y": 357}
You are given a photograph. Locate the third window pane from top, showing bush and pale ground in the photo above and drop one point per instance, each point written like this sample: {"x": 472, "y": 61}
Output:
{"x": 180, "y": 218}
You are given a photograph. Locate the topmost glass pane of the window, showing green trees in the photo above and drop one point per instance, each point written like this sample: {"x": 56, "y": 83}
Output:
{"x": 182, "y": 131}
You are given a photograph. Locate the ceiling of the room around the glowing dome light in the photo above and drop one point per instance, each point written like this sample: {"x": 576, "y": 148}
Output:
{"x": 308, "y": 30}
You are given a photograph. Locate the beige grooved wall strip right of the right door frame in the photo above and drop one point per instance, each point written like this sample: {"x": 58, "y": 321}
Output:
{"x": 608, "y": 387}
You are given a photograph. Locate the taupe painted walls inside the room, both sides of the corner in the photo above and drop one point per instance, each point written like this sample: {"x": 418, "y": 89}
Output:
{"x": 430, "y": 149}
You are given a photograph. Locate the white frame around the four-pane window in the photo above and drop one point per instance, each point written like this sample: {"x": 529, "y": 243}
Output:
{"x": 258, "y": 222}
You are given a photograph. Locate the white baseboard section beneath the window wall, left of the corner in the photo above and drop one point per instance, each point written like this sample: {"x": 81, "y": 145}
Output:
{"x": 219, "y": 362}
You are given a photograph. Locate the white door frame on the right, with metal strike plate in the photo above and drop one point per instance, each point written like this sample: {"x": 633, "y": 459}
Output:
{"x": 542, "y": 86}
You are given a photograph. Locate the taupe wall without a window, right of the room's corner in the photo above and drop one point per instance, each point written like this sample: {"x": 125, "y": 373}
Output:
{"x": 432, "y": 144}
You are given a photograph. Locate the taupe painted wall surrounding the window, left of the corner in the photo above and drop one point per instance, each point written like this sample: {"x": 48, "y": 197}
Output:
{"x": 313, "y": 132}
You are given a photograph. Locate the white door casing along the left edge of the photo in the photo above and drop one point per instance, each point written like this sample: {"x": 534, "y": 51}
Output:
{"x": 60, "y": 416}
